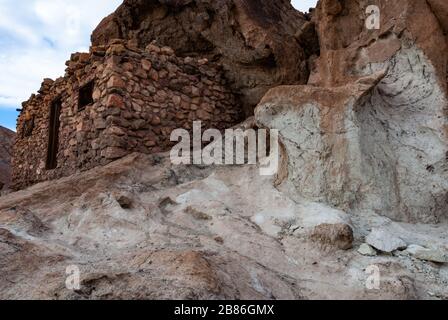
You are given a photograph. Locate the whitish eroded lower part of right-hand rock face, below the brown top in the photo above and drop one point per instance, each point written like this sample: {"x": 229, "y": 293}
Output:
{"x": 378, "y": 143}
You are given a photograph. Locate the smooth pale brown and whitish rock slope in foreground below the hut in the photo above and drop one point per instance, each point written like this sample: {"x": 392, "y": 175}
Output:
{"x": 193, "y": 232}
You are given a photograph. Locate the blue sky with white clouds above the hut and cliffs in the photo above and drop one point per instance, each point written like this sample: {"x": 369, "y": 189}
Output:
{"x": 38, "y": 36}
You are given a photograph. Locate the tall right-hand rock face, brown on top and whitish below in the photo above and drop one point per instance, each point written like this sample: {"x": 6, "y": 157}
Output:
{"x": 370, "y": 131}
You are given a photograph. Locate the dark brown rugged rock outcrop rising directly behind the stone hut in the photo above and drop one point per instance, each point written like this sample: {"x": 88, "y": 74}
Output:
{"x": 260, "y": 43}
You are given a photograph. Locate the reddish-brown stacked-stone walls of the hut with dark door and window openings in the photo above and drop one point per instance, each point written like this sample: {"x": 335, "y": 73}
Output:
{"x": 139, "y": 97}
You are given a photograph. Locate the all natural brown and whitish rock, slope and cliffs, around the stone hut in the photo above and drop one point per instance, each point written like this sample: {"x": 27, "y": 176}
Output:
{"x": 362, "y": 187}
